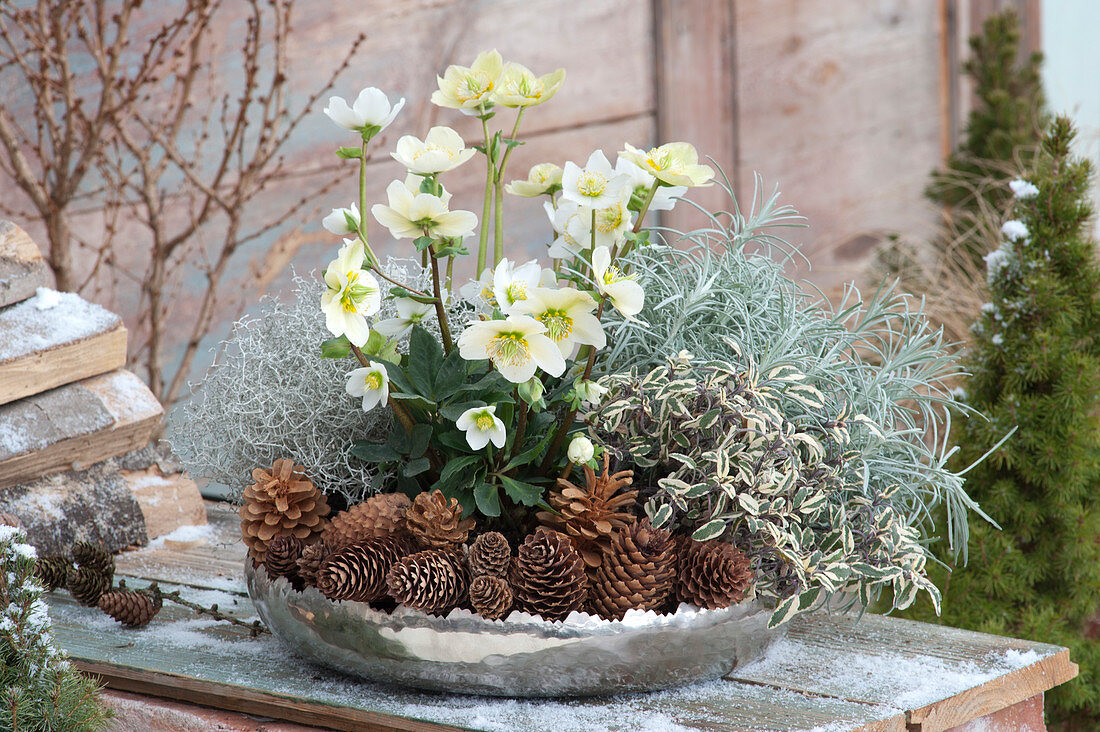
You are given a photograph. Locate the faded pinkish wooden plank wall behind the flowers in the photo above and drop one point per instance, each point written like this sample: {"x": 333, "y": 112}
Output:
{"x": 845, "y": 105}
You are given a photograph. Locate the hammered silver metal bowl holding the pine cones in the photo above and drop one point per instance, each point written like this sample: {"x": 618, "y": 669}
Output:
{"x": 521, "y": 657}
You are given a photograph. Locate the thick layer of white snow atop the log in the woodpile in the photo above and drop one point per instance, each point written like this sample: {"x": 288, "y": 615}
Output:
{"x": 50, "y": 320}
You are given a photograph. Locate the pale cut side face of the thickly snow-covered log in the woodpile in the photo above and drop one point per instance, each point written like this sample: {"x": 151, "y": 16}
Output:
{"x": 113, "y": 342}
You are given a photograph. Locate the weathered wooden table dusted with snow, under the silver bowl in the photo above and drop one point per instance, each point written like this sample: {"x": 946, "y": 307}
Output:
{"x": 831, "y": 674}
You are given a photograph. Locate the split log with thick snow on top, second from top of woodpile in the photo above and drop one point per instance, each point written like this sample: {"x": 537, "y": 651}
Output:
{"x": 56, "y": 340}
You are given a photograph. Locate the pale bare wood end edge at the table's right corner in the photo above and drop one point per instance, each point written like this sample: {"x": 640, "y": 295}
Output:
{"x": 995, "y": 695}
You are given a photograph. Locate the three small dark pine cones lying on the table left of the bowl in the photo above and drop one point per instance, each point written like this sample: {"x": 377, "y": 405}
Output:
{"x": 89, "y": 574}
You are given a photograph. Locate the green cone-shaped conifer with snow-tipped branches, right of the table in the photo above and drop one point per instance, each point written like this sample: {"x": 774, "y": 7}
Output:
{"x": 1037, "y": 364}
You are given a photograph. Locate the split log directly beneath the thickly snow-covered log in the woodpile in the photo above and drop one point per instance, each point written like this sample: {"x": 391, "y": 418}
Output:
{"x": 75, "y": 427}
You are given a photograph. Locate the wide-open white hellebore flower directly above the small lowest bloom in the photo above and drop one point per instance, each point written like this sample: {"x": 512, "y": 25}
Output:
{"x": 516, "y": 346}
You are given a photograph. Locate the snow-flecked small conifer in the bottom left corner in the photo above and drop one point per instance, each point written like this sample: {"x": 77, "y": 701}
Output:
{"x": 40, "y": 692}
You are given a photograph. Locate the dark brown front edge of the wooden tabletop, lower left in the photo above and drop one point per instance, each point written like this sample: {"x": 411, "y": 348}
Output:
{"x": 249, "y": 702}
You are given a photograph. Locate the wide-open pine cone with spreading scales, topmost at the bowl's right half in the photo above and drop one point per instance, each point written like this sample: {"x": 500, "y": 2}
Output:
{"x": 590, "y": 515}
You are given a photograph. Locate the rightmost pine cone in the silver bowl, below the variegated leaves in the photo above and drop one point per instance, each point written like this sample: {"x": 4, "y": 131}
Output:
{"x": 713, "y": 575}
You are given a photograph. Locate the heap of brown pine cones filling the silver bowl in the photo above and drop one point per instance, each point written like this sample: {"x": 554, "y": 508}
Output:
{"x": 591, "y": 554}
